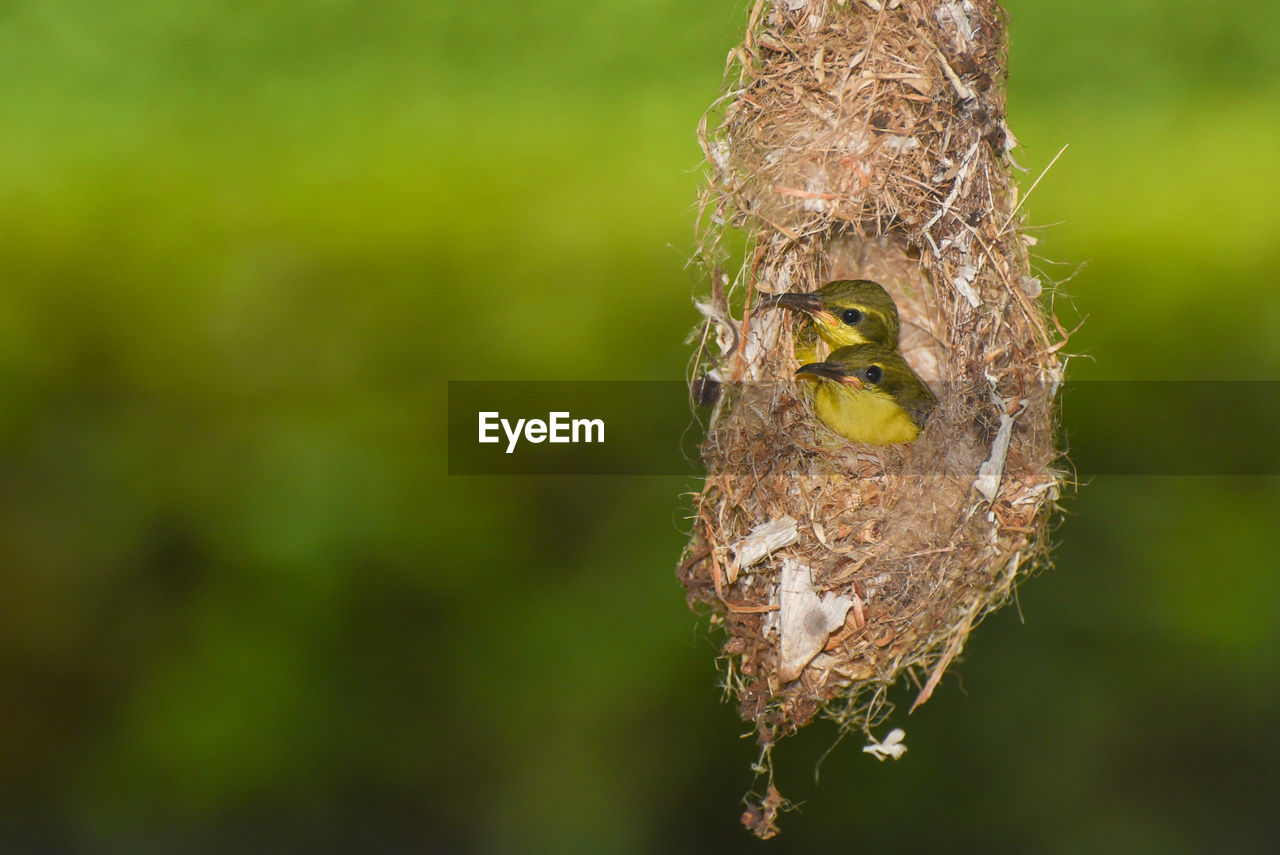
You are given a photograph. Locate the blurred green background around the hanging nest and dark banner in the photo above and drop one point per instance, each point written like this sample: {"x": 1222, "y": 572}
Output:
{"x": 245, "y": 245}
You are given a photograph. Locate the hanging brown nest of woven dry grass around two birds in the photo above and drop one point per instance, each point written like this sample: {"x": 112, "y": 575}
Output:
{"x": 866, "y": 140}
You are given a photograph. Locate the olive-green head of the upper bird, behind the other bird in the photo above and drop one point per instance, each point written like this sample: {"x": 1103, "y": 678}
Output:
{"x": 848, "y": 312}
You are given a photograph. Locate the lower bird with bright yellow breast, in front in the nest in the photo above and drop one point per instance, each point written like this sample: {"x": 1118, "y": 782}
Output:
{"x": 870, "y": 395}
